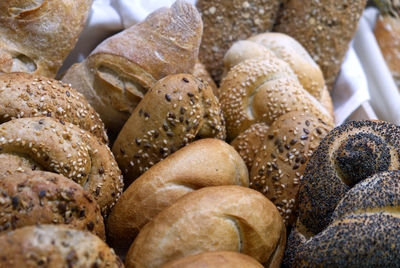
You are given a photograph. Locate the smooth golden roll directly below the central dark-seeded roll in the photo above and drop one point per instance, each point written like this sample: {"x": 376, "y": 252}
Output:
{"x": 206, "y": 162}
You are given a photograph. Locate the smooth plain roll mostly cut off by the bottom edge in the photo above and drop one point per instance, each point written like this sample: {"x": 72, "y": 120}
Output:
{"x": 215, "y": 259}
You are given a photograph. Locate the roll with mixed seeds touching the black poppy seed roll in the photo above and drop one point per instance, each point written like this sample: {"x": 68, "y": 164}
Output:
{"x": 279, "y": 164}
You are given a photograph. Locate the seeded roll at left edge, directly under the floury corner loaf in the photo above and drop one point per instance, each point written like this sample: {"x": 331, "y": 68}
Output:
{"x": 28, "y": 95}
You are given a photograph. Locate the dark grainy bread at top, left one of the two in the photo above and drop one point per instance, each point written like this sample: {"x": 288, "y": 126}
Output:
{"x": 228, "y": 21}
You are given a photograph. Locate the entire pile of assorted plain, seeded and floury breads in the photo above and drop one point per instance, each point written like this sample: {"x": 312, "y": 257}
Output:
{"x": 199, "y": 170}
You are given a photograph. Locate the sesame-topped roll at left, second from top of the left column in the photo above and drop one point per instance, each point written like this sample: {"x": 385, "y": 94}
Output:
{"x": 65, "y": 149}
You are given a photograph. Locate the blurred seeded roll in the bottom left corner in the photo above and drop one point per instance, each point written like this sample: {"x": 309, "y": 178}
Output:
{"x": 55, "y": 246}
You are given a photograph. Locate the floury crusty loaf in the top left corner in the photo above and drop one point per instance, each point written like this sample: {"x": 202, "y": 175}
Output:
{"x": 34, "y": 36}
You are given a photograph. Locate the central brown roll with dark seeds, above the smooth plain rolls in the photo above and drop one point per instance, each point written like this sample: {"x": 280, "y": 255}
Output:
{"x": 176, "y": 111}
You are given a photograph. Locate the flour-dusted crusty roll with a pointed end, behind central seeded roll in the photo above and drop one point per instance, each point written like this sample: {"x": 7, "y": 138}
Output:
{"x": 117, "y": 74}
